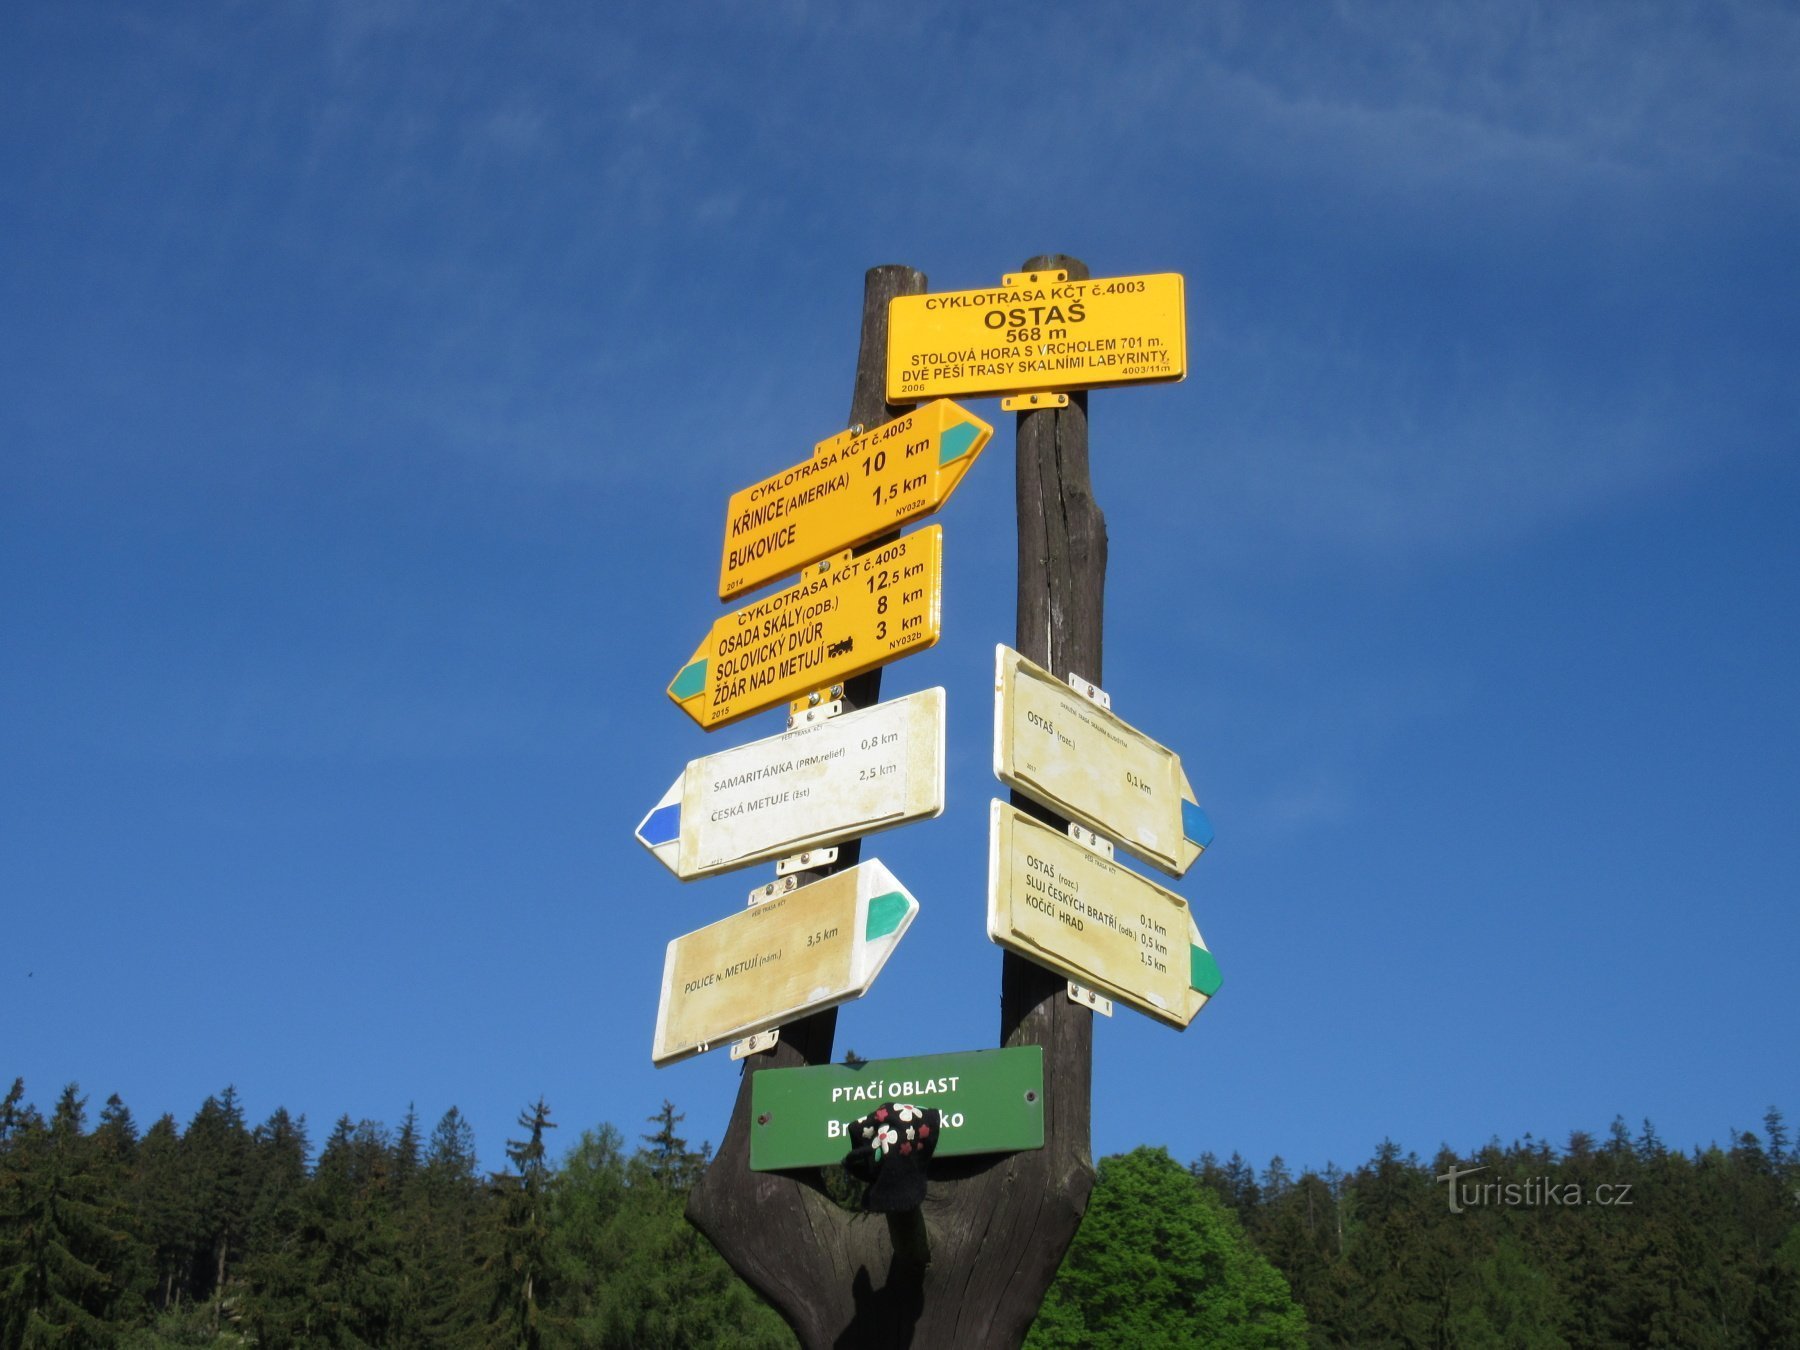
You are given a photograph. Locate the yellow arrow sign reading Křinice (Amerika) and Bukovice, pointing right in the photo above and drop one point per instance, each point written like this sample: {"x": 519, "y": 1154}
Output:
{"x": 852, "y": 490}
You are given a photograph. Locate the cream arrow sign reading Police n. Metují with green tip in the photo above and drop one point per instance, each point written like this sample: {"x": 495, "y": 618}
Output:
{"x": 798, "y": 953}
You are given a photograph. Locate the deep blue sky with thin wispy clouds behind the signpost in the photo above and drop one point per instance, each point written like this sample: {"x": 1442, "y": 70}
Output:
{"x": 377, "y": 377}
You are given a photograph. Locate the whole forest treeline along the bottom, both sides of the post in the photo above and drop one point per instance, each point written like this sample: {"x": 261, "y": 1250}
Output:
{"x": 228, "y": 1234}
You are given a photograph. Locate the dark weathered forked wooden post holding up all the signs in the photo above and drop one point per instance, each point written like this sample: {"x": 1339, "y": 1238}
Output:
{"x": 998, "y": 1225}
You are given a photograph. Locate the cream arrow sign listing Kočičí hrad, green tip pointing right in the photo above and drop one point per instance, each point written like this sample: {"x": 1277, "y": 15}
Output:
{"x": 1086, "y": 917}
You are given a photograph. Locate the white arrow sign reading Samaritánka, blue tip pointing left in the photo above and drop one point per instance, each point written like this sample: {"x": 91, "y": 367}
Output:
{"x": 804, "y": 789}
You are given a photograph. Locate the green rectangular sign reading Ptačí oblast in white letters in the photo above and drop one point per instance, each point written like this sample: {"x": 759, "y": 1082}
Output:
{"x": 993, "y": 1102}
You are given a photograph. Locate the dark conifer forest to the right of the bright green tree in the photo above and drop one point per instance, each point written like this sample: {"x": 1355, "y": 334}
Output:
{"x": 1612, "y": 1241}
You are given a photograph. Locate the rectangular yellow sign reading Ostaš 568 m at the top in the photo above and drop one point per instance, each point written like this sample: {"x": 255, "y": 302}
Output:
{"x": 1038, "y": 334}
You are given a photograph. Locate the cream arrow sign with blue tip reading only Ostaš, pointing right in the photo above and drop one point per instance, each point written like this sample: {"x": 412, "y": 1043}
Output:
{"x": 1081, "y": 760}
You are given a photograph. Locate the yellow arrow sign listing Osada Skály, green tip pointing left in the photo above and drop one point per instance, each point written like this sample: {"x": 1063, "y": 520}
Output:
{"x": 847, "y": 616}
